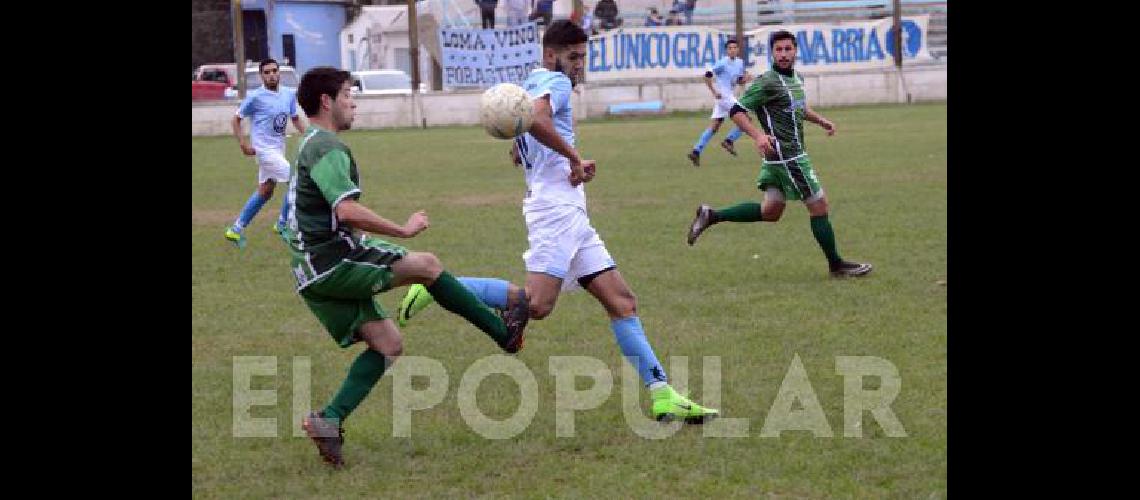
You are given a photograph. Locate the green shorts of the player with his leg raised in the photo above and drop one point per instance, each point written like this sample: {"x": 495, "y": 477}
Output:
{"x": 343, "y": 300}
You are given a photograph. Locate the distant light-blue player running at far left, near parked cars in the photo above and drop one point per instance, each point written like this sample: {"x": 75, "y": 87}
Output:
{"x": 271, "y": 108}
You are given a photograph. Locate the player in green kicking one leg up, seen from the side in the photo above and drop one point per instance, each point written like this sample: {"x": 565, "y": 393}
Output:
{"x": 339, "y": 269}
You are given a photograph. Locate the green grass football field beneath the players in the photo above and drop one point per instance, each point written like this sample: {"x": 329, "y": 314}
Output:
{"x": 755, "y": 296}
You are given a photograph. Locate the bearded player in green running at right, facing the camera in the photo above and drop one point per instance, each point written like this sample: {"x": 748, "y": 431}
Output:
{"x": 780, "y": 103}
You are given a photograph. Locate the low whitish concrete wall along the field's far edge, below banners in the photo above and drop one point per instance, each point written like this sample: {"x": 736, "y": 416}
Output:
{"x": 927, "y": 83}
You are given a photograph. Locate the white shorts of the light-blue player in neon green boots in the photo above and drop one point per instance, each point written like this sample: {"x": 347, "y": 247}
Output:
{"x": 565, "y": 245}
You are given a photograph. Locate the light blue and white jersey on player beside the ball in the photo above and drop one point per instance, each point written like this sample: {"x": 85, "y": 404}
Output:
{"x": 549, "y": 173}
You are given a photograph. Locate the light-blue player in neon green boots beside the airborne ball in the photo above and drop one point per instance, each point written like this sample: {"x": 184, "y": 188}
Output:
{"x": 566, "y": 252}
